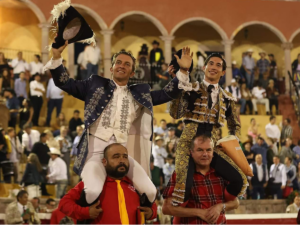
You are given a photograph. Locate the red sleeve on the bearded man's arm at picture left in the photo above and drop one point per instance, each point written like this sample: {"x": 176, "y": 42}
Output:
{"x": 69, "y": 207}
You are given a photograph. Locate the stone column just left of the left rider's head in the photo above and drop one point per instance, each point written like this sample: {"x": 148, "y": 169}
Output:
{"x": 107, "y": 51}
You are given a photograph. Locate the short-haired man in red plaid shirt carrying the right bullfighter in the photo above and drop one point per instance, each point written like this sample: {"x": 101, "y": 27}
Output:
{"x": 206, "y": 203}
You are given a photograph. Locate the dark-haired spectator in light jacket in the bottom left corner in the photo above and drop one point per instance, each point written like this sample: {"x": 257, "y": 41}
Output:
{"x": 21, "y": 211}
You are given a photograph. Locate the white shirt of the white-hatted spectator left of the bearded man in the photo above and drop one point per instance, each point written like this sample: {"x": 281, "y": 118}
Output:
{"x": 58, "y": 169}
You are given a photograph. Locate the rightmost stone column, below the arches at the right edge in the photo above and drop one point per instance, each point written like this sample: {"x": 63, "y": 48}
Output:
{"x": 287, "y": 46}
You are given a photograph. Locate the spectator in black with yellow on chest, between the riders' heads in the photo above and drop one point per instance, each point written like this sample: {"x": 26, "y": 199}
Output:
{"x": 156, "y": 59}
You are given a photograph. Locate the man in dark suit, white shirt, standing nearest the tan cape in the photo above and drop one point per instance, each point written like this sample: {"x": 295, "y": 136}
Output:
{"x": 260, "y": 179}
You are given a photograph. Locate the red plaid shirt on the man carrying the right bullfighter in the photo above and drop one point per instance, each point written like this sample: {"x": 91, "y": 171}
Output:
{"x": 207, "y": 190}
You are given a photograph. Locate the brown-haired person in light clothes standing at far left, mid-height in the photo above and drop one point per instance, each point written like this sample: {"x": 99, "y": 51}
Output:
{"x": 16, "y": 151}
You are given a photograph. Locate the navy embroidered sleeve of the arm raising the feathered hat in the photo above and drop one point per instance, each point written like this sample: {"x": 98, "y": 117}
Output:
{"x": 73, "y": 87}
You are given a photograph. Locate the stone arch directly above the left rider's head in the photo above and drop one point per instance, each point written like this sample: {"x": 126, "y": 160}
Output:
{"x": 151, "y": 18}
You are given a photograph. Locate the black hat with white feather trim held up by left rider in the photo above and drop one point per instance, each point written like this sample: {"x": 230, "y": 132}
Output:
{"x": 71, "y": 25}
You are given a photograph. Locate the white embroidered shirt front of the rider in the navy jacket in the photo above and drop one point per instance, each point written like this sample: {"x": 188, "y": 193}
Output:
{"x": 117, "y": 117}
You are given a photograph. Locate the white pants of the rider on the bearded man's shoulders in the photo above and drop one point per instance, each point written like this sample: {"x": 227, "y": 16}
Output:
{"x": 94, "y": 174}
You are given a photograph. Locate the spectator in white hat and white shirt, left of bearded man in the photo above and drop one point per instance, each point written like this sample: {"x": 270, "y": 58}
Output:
{"x": 58, "y": 172}
